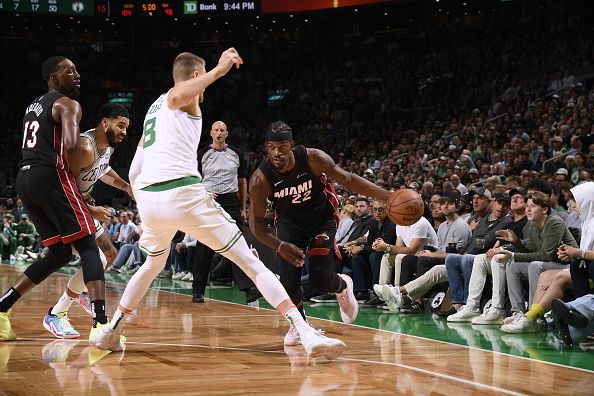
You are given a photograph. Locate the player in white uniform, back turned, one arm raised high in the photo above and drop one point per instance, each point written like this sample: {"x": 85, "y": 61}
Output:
{"x": 170, "y": 196}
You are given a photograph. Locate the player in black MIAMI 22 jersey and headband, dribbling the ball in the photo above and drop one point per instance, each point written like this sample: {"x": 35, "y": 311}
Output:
{"x": 294, "y": 180}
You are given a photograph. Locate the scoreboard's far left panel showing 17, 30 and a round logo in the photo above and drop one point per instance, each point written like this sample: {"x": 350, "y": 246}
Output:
{"x": 62, "y": 7}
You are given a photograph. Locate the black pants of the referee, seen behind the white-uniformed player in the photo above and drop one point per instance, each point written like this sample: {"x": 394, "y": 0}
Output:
{"x": 203, "y": 255}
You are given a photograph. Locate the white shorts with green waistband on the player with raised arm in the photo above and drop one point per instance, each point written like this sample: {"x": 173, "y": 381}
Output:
{"x": 183, "y": 204}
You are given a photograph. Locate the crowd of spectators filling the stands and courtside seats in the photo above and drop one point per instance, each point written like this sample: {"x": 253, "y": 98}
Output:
{"x": 489, "y": 122}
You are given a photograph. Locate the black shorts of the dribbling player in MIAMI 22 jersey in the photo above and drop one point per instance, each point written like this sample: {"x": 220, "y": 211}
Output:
{"x": 314, "y": 239}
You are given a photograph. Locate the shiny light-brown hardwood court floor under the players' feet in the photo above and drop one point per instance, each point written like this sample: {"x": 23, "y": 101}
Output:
{"x": 176, "y": 347}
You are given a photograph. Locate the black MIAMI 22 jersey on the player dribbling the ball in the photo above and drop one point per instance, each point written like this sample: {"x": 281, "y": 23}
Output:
{"x": 300, "y": 197}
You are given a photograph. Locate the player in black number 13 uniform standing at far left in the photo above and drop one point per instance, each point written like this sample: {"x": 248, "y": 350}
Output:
{"x": 47, "y": 186}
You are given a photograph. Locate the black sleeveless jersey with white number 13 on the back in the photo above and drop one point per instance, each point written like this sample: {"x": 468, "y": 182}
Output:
{"x": 42, "y": 136}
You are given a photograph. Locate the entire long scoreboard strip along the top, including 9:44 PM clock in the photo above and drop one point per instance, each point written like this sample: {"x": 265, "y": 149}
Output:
{"x": 134, "y": 8}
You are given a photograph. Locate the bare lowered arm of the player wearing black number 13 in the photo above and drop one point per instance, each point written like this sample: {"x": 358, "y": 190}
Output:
{"x": 67, "y": 113}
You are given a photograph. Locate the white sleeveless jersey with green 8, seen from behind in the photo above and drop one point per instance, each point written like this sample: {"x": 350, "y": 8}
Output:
{"x": 171, "y": 139}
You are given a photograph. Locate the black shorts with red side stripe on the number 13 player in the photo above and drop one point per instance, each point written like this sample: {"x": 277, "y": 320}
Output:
{"x": 54, "y": 204}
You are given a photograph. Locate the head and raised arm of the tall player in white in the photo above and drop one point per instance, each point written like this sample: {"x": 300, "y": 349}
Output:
{"x": 190, "y": 84}
